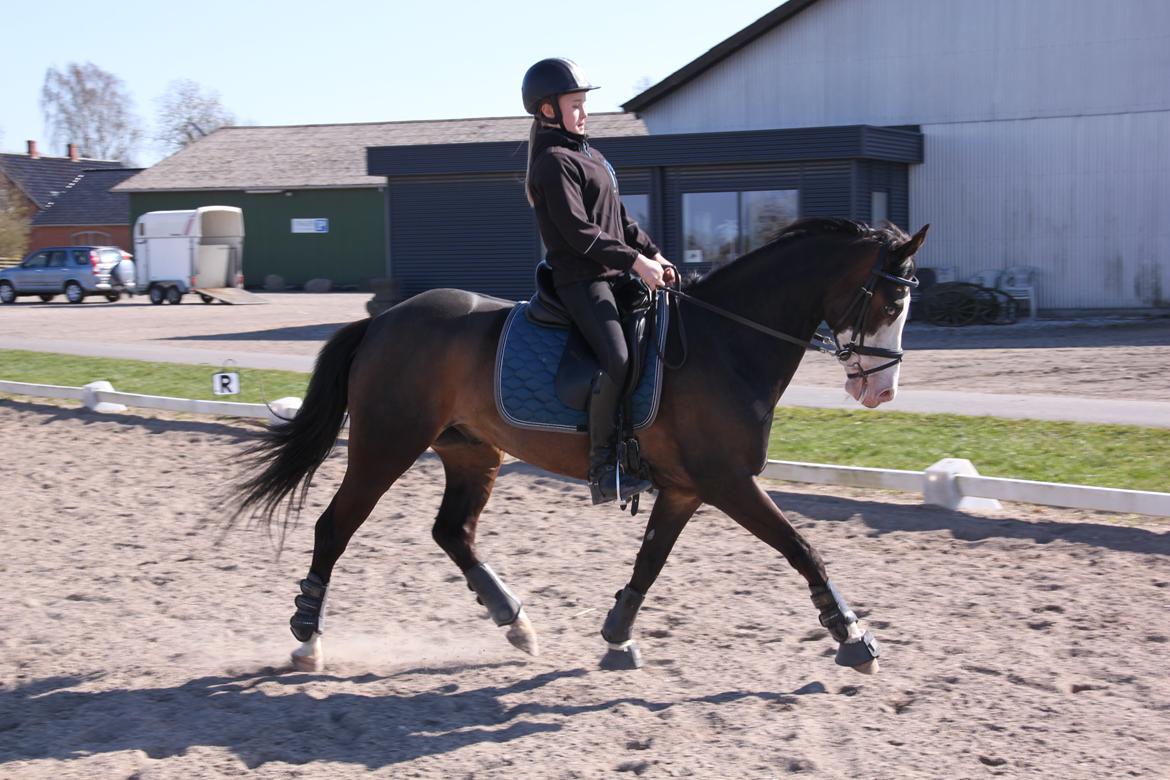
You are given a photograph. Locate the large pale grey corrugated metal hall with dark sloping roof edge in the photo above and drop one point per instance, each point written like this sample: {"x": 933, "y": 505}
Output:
{"x": 1045, "y": 126}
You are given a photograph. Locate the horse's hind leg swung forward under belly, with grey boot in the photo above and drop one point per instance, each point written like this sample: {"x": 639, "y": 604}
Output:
{"x": 472, "y": 468}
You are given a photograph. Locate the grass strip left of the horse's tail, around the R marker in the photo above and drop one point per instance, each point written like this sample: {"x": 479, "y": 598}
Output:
{"x": 148, "y": 378}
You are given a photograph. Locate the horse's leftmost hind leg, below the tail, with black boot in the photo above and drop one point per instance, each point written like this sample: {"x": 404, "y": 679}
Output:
{"x": 375, "y": 465}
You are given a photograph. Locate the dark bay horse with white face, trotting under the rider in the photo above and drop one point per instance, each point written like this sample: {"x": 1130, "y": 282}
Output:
{"x": 421, "y": 376}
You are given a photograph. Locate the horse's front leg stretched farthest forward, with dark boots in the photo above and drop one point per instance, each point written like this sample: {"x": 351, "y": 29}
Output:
{"x": 747, "y": 503}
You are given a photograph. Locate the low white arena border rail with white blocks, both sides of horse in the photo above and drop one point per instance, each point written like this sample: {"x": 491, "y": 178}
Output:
{"x": 953, "y": 484}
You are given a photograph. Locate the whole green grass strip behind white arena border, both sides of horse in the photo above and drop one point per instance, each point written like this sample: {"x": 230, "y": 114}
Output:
{"x": 1110, "y": 457}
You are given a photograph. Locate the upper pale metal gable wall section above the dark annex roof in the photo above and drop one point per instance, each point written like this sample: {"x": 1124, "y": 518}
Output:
{"x": 933, "y": 63}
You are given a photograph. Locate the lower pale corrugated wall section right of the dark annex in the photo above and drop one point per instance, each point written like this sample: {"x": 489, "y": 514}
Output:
{"x": 1085, "y": 199}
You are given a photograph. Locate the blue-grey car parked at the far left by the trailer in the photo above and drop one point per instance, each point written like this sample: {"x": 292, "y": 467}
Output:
{"x": 77, "y": 272}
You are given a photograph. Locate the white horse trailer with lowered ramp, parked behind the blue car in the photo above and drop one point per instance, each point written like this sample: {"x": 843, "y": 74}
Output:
{"x": 195, "y": 251}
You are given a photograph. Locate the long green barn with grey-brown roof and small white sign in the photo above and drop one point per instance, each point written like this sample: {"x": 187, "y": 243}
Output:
{"x": 311, "y": 208}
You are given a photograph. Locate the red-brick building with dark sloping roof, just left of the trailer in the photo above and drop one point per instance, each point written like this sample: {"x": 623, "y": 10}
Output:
{"x": 87, "y": 212}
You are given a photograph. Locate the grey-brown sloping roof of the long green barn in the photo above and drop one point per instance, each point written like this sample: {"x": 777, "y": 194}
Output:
{"x": 301, "y": 157}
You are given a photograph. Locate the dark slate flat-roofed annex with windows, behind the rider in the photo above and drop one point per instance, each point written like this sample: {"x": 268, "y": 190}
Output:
{"x": 459, "y": 218}
